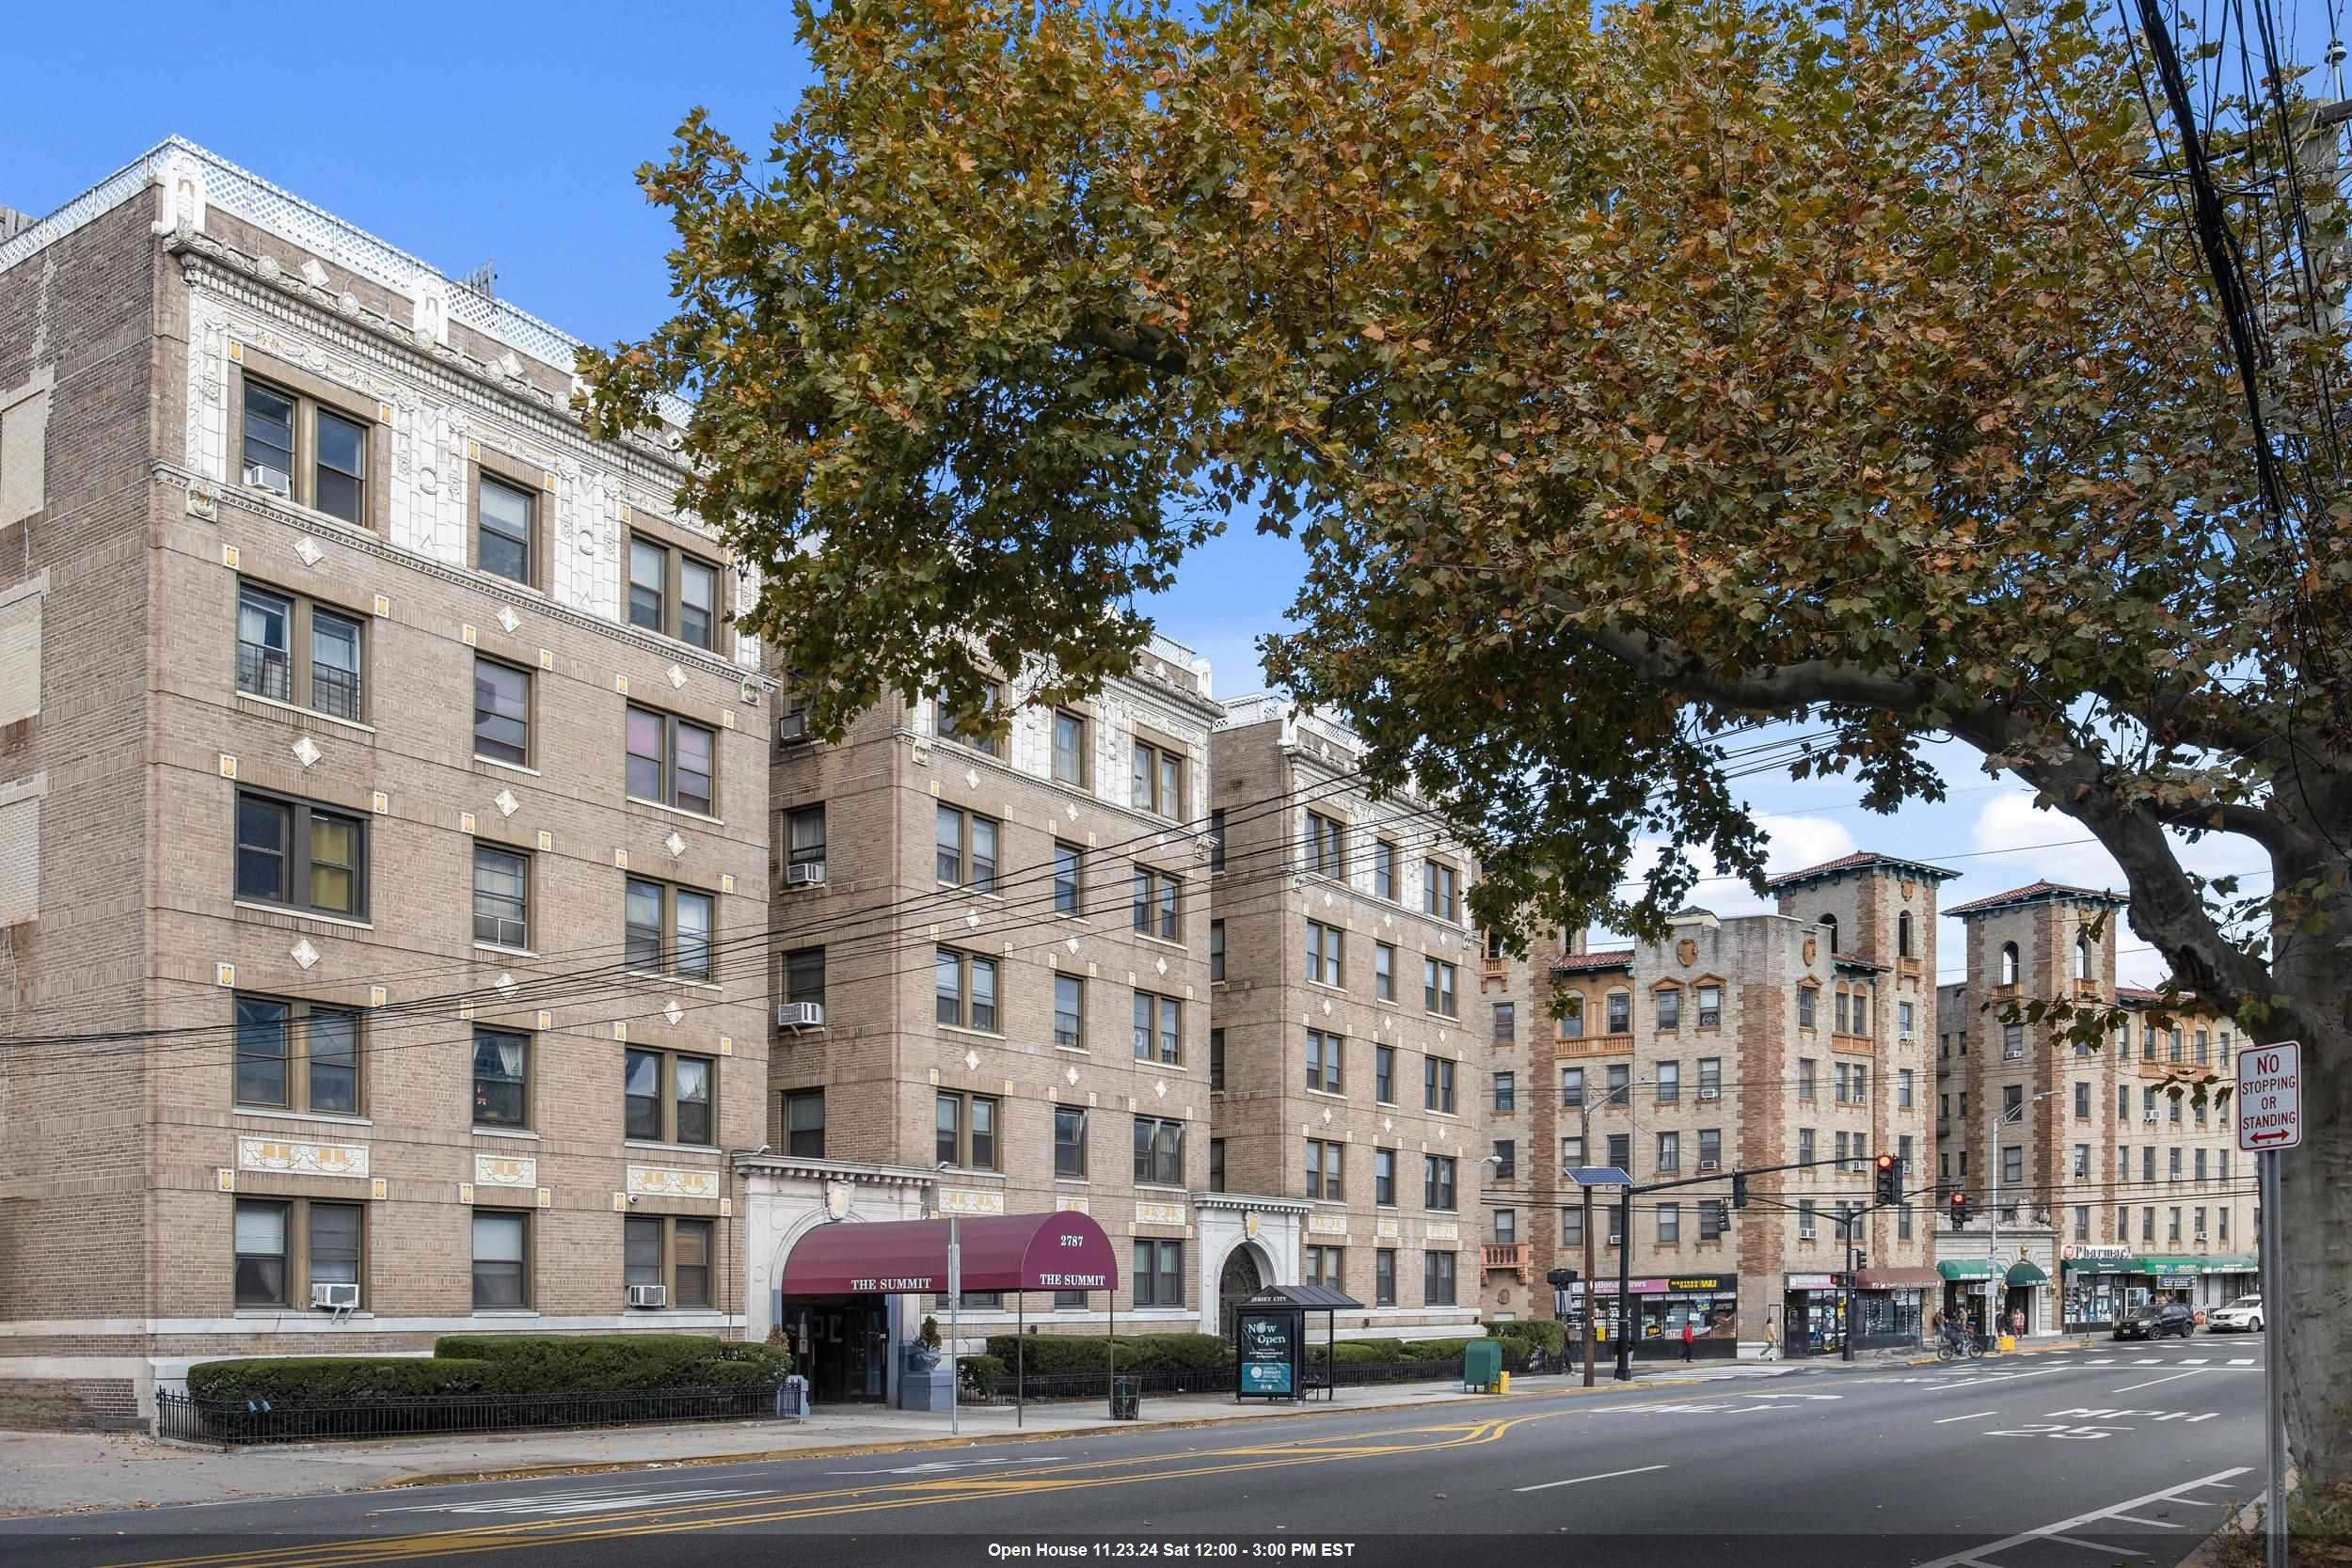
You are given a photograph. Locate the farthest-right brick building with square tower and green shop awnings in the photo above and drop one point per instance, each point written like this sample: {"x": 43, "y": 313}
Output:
{"x": 2118, "y": 1181}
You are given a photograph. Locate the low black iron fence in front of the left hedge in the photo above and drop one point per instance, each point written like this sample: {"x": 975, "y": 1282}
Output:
{"x": 307, "y": 1421}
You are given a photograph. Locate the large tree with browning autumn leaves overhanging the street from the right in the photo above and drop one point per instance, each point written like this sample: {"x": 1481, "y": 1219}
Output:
{"x": 1699, "y": 368}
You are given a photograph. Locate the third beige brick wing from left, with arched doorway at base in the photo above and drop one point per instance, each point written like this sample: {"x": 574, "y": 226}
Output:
{"x": 1351, "y": 1090}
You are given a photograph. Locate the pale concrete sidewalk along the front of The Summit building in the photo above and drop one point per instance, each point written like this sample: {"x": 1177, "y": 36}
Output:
{"x": 76, "y": 1473}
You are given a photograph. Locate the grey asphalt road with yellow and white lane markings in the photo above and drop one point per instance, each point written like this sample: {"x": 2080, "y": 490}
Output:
{"x": 2125, "y": 1454}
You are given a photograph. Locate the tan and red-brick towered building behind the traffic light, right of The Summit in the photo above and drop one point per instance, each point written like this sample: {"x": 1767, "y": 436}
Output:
{"x": 1735, "y": 1045}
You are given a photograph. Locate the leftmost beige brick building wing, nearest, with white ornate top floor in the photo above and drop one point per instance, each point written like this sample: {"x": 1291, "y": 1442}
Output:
{"x": 385, "y": 815}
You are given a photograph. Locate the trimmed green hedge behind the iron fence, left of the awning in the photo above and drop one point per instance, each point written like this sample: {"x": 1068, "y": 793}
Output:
{"x": 502, "y": 1365}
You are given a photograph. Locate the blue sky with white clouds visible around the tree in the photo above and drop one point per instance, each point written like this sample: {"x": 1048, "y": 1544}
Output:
{"x": 509, "y": 135}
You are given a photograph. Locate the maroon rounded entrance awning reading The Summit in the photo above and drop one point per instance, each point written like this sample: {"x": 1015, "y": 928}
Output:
{"x": 1020, "y": 1252}
